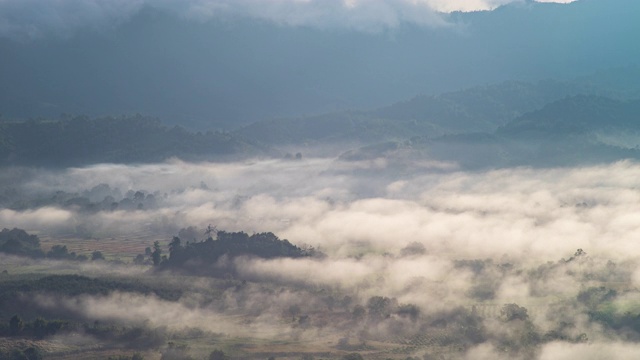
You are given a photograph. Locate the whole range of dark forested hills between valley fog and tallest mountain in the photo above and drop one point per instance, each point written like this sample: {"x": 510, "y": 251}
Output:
{"x": 547, "y": 123}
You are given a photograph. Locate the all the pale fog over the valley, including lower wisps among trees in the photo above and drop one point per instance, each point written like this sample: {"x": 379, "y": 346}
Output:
{"x": 430, "y": 235}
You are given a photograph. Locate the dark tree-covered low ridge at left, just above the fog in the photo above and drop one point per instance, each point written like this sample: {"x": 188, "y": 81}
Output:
{"x": 73, "y": 141}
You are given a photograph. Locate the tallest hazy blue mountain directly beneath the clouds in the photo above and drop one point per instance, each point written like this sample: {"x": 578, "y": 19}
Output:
{"x": 223, "y": 72}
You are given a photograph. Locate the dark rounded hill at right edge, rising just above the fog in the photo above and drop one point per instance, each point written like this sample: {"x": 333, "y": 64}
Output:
{"x": 582, "y": 129}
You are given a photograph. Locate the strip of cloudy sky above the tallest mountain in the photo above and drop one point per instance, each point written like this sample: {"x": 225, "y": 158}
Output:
{"x": 35, "y": 18}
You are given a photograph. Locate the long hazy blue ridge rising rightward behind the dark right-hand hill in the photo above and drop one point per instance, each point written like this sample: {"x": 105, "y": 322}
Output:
{"x": 477, "y": 109}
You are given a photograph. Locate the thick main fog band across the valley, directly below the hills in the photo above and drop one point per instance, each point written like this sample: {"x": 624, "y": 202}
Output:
{"x": 350, "y": 209}
